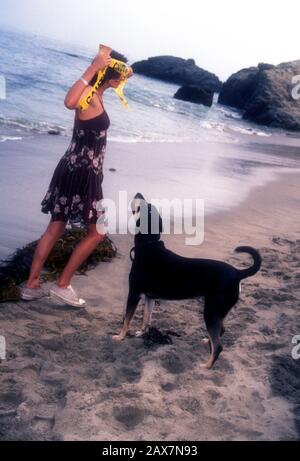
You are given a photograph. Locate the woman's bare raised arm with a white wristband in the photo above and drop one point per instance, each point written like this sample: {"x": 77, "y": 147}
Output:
{"x": 76, "y": 91}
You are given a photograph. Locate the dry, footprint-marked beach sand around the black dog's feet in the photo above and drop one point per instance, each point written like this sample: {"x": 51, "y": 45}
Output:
{"x": 65, "y": 379}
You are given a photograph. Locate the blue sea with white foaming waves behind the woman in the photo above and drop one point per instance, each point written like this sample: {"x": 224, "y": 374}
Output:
{"x": 39, "y": 71}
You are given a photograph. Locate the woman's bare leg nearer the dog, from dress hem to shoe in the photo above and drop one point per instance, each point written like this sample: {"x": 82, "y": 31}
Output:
{"x": 80, "y": 253}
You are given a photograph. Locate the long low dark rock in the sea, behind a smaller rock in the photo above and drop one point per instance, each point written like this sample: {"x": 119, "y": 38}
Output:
{"x": 178, "y": 70}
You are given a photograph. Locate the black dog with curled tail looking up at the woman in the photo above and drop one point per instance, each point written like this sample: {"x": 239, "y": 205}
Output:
{"x": 157, "y": 272}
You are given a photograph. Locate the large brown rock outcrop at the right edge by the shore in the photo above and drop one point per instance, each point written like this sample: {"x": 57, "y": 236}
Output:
{"x": 264, "y": 93}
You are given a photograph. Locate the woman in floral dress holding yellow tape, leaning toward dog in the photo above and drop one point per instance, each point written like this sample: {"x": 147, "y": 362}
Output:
{"x": 75, "y": 186}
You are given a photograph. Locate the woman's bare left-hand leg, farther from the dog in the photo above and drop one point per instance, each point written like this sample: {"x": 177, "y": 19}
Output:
{"x": 47, "y": 241}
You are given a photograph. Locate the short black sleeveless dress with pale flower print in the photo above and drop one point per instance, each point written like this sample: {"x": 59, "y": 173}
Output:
{"x": 76, "y": 184}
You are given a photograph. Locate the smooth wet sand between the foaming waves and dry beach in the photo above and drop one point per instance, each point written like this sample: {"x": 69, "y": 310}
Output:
{"x": 221, "y": 174}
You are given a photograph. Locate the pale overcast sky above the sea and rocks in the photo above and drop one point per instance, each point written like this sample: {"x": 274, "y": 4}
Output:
{"x": 221, "y": 35}
